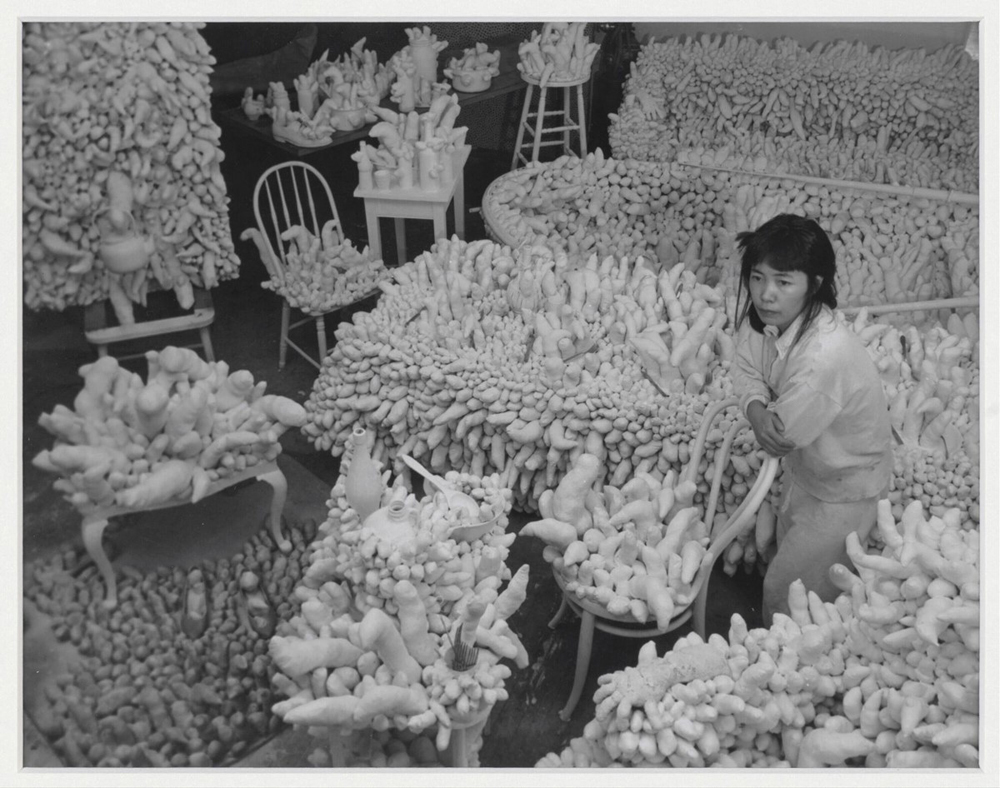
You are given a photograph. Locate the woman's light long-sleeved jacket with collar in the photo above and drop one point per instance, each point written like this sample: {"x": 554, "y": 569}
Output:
{"x": 828, "y": 395}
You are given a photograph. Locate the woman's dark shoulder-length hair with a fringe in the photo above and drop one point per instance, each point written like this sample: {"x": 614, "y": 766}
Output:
{"x": 788, "y": 243}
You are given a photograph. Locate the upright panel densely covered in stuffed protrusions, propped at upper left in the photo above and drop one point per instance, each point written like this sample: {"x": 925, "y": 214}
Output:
{"x": 146, "y": 170}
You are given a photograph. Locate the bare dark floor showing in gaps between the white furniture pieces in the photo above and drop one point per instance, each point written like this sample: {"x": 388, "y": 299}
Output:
{"x": 245, "y": 334}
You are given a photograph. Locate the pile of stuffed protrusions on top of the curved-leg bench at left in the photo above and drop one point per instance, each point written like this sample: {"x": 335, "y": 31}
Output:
{"x": 166, "y": 439}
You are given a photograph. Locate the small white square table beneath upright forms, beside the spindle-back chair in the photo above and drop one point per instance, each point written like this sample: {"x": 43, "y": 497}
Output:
{"x": 415, "y": 203}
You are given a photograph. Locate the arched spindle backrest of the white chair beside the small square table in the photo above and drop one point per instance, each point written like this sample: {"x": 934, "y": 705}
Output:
{"x": 289, "y": 194}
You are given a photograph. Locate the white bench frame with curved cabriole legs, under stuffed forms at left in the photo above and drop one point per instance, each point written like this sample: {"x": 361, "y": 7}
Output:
{"x": 95, "y": 519}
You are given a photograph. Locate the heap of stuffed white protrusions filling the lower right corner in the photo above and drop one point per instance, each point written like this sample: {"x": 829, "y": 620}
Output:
{"x": 887, "y": 675}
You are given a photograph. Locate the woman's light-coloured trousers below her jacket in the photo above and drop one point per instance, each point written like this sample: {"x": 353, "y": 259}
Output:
{"x": 810, "y": 534}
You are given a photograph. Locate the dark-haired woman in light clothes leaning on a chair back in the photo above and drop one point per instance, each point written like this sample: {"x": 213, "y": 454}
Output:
{"x": 814, "y": 398}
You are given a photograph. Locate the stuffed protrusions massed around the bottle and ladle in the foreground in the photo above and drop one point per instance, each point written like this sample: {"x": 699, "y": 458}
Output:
{"x": 373, "y": 643}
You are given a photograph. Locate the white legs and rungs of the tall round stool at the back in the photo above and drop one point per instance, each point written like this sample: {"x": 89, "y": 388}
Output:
{"x": 536, "y": 122}
